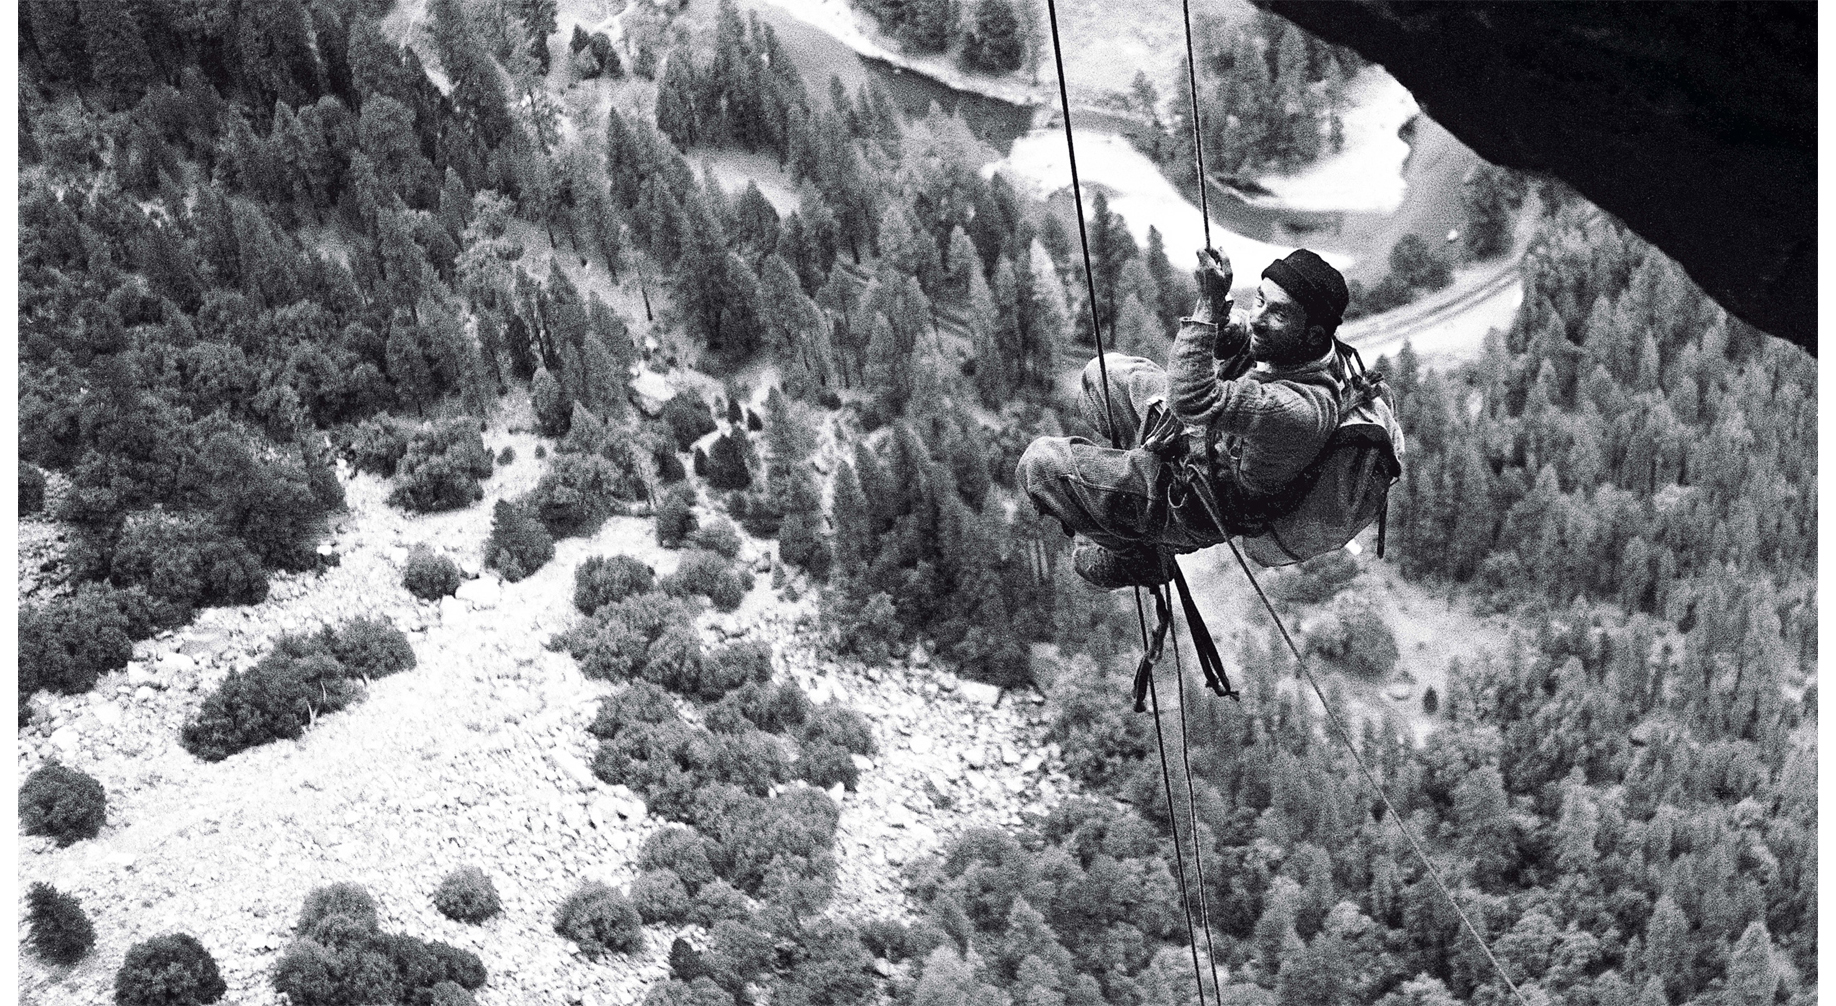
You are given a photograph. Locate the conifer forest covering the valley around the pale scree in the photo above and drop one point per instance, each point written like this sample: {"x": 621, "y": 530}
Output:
{"x": 263, "y": 238}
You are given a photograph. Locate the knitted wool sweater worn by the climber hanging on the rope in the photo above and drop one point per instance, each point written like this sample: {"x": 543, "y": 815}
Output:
{"x": 1271, "y": 421}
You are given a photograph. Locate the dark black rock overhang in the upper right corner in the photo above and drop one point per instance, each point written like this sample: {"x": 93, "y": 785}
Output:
{"x": 1692, "y": 124}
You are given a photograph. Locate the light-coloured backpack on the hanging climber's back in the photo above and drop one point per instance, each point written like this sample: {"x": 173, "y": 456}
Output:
{"x": 1347, "y": 487}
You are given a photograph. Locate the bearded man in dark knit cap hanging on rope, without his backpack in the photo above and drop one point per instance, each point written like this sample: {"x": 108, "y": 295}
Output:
{"x": 1251, "y": 399}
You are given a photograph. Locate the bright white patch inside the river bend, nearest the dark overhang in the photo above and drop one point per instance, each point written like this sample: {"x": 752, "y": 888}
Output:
{"x": 1367, "y": 175}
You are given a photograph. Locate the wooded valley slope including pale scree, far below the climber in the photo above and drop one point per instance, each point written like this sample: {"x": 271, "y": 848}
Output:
{"x": 579, "y": 447}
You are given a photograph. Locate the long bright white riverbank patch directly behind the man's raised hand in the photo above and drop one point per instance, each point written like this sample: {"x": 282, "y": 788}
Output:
{"x": 1141, "y": 196}
